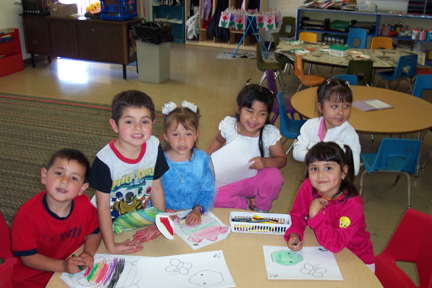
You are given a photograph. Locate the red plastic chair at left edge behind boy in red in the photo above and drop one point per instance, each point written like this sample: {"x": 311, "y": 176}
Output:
{"x": 6, "y": 269}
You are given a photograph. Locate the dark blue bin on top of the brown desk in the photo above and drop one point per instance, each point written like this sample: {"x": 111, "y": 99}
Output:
{"x": 118, "y": 9}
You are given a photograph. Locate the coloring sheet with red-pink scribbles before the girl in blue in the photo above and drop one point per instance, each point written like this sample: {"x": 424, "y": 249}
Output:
{"x": 208, "y": 232}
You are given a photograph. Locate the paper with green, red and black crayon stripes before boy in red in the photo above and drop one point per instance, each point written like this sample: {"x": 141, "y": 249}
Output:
{"x": 108, "y": 271}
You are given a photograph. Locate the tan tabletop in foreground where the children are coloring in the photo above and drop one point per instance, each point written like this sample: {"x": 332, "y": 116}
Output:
{"x": 244, "y": 256}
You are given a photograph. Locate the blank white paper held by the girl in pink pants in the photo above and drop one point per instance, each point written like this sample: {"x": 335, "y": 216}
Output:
{"x": 231, "y": 164}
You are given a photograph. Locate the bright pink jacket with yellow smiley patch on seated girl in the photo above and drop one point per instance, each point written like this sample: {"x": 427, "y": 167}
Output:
{"x": 338, "y": 225}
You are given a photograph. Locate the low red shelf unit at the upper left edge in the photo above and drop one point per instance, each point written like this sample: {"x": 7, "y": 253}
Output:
{"x": 10, "y": 52}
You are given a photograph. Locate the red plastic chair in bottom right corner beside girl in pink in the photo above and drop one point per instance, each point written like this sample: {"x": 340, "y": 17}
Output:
{"x": 411, "y": 242}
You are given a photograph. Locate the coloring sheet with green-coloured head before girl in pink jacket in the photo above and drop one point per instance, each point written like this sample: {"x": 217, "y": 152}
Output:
{"x": 310, "y": 263}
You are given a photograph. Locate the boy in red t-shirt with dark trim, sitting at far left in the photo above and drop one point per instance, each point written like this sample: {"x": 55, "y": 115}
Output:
{"x": 49, "y": 227}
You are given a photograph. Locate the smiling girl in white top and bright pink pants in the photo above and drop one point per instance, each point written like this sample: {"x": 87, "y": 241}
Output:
{"x": 260, "y": 141}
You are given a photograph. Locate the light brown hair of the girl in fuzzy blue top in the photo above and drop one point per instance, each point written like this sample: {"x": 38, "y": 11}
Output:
{"x": 182, "y": 116}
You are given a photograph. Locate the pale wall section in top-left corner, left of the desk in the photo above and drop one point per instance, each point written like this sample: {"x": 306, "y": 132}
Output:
{"x": 9, "y": 18}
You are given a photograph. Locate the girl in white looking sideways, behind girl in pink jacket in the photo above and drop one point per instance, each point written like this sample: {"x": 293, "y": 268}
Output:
{"x": 334, "y": 104}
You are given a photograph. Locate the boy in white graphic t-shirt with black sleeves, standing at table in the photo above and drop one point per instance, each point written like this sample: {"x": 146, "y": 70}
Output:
{"x": 127, "y": 172}
